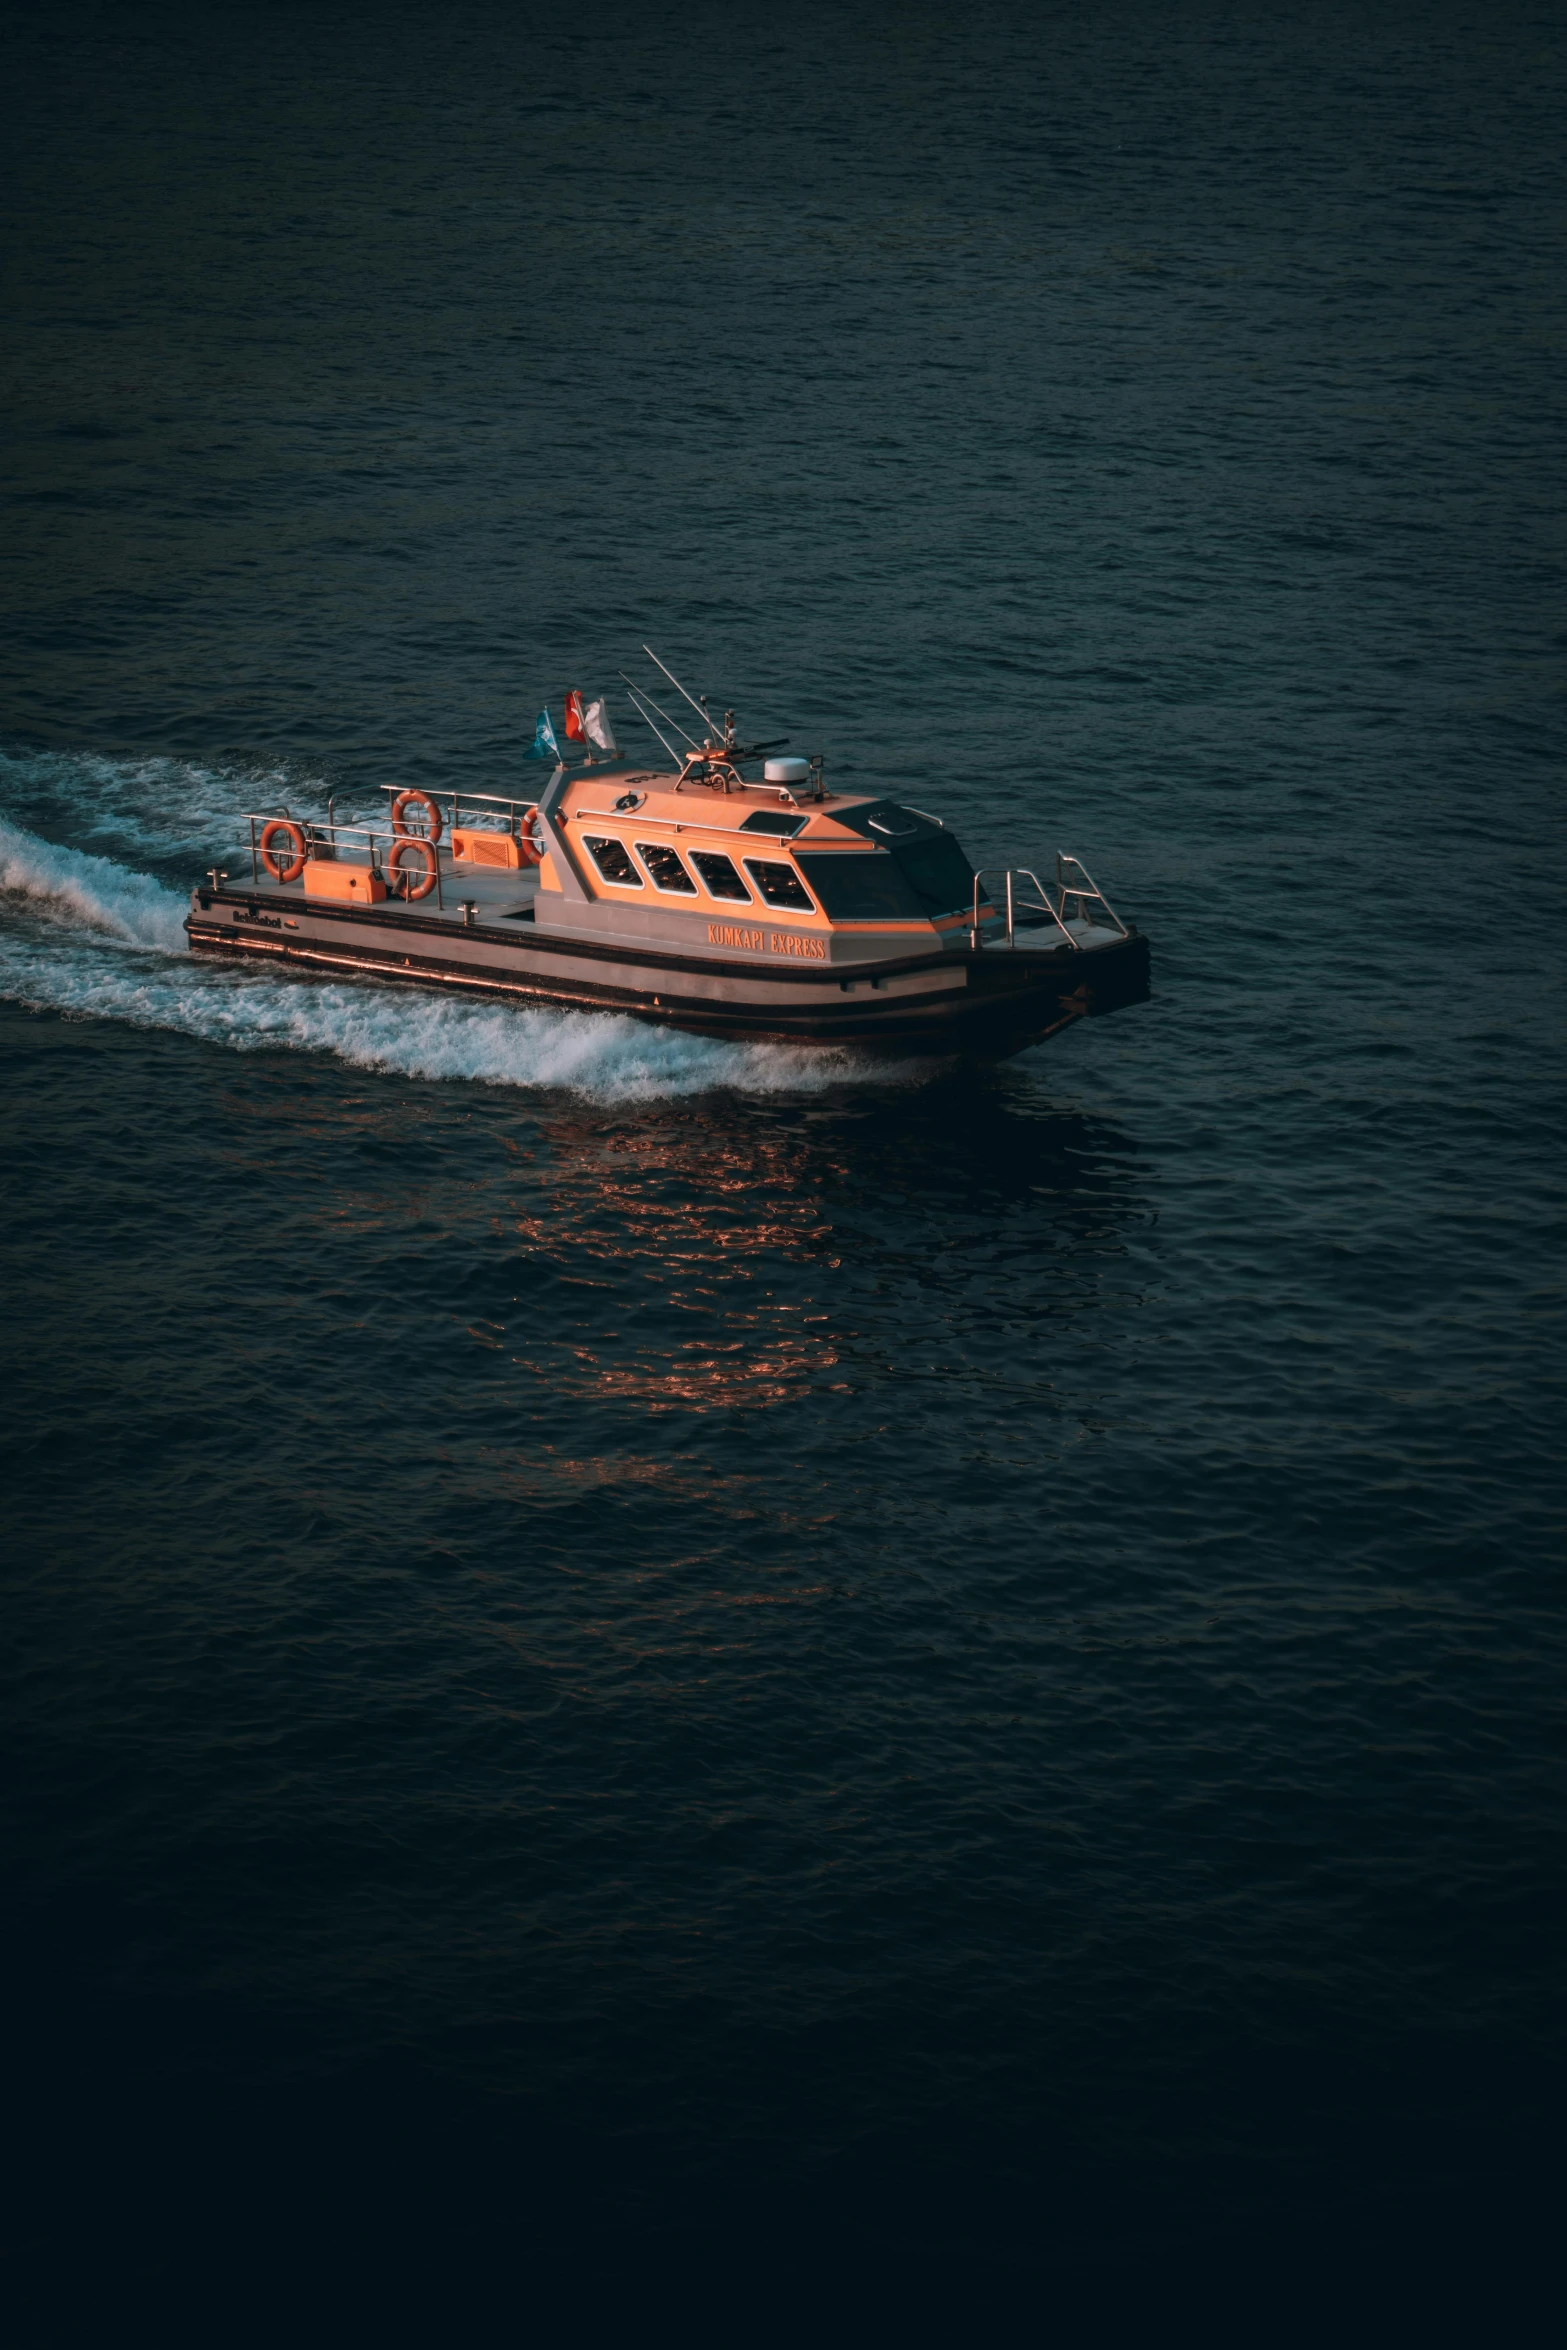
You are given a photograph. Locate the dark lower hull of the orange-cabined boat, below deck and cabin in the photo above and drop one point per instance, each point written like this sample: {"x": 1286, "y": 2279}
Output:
{"x": 955, "y": 1002}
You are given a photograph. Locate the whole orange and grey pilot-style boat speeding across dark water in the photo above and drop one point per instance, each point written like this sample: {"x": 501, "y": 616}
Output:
{"x": 720, "y": 889}
